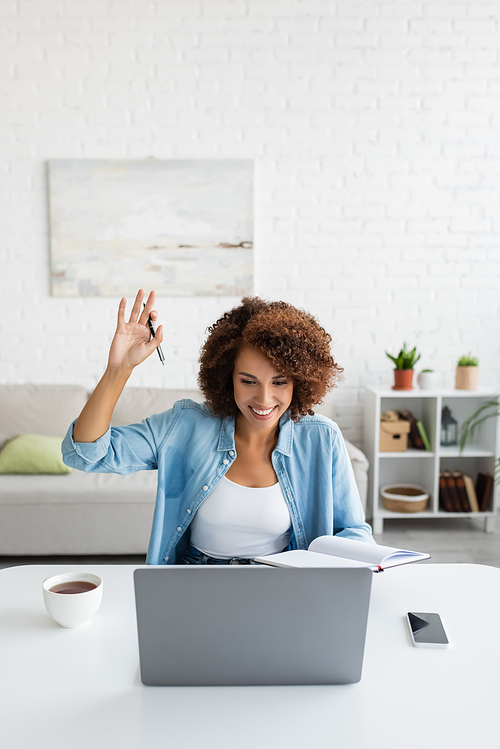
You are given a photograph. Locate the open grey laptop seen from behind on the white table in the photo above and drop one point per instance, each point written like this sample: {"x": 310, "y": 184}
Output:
{"x": 222, "y": 625}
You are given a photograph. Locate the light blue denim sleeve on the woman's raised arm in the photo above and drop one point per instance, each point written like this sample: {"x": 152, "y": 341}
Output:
{"x": 122, "y": 449}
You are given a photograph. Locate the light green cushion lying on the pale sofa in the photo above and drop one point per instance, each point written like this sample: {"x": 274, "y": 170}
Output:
{"x": 32, "y": 453}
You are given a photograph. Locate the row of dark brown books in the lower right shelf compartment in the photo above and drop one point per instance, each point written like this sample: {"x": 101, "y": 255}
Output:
{"x": 458, "y": 493}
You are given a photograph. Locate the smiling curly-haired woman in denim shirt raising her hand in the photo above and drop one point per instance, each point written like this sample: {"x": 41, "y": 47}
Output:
{"x": 252, "y": 471}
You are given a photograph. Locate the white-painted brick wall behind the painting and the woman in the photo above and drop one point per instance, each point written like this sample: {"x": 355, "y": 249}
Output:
{"x": 375, "y": 131}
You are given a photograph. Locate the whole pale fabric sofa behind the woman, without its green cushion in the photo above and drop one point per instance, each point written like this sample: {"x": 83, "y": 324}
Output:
{"x": 80, "y": 513}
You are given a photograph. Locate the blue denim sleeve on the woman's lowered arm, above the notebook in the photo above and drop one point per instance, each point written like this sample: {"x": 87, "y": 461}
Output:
{"x": 349, "y": 517}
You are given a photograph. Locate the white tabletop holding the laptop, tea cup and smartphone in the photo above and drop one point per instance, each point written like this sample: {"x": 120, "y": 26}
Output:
{"x": 81, "y": 688}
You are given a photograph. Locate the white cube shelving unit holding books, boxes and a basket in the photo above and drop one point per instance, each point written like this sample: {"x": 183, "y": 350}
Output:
{"x": 422, "y": 467}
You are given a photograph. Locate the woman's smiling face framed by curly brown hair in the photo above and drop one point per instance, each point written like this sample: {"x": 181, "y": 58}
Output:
{"x": 261, "y": 393}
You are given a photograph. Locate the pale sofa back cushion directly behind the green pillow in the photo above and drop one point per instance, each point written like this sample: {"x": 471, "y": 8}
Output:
{"x": 39, "y": 409}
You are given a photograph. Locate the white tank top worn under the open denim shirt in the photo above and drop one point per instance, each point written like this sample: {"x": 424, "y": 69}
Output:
{"x": 241, "y": 521}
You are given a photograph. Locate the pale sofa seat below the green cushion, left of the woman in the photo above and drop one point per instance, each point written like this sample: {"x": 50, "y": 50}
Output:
{"x": 81, "y": 513}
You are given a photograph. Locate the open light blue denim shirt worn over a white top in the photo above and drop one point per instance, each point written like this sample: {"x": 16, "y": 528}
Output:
{"x": 192, "y": 449}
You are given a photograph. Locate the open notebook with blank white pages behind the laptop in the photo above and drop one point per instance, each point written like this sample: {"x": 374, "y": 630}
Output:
{"x": 335, "y": 551}
